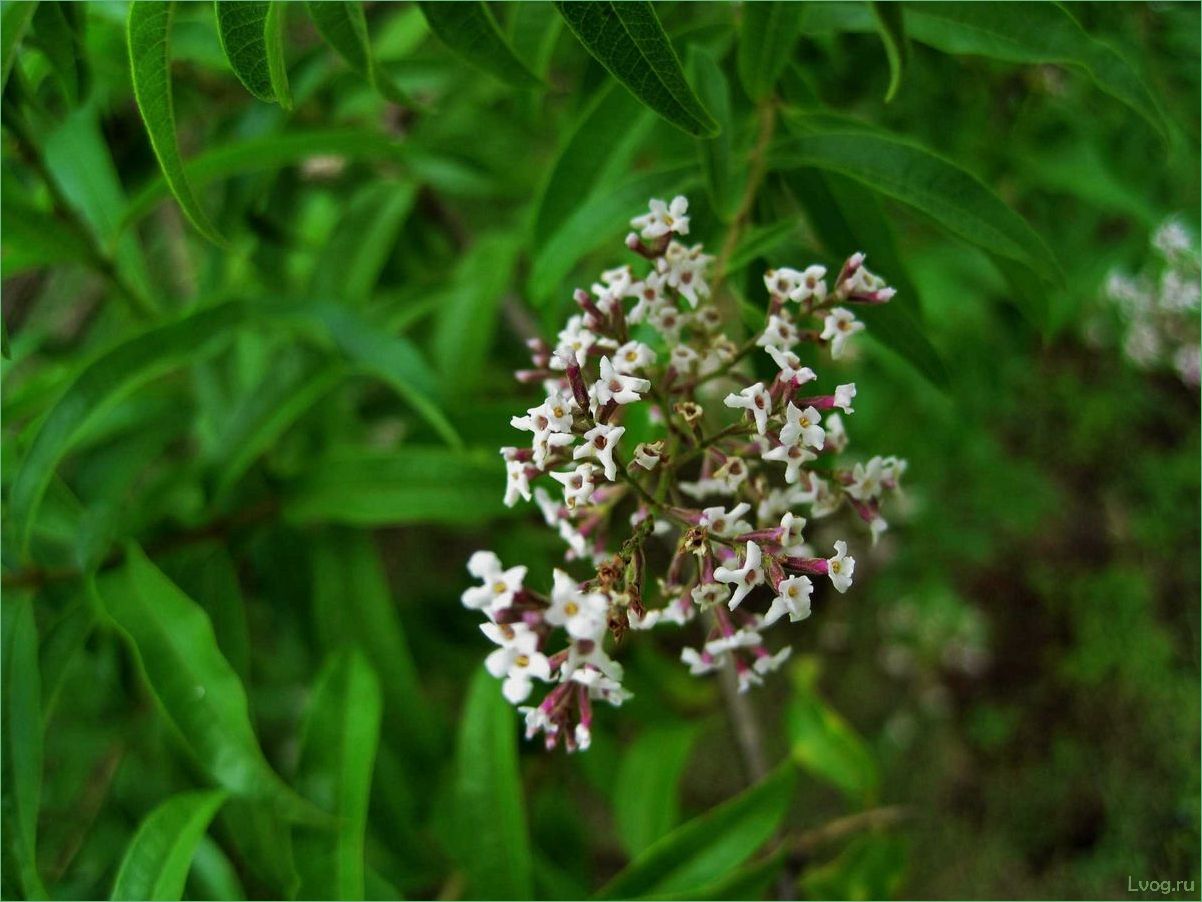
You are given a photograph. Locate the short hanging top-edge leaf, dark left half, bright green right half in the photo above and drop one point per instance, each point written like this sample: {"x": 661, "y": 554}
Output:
{"x": 252, "y": 37}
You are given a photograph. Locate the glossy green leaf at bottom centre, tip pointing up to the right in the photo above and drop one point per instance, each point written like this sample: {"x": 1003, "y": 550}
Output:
{"x": 710, "y": 846}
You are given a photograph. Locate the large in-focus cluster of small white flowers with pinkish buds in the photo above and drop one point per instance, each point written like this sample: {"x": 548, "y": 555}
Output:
{"x": 681, "y": 483}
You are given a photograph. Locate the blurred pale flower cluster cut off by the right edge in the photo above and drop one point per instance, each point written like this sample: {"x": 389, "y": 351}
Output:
{"x": 1159, "y": 308}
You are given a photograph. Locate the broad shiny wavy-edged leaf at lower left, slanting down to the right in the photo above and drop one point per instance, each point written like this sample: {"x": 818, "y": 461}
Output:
{"x": 195, "y": 686}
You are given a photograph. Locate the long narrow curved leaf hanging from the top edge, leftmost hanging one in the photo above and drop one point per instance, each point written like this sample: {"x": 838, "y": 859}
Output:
{"x": 150, "y": 38}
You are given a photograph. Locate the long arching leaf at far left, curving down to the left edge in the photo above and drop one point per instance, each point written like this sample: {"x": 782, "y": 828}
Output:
{"x": 100, "y": 384}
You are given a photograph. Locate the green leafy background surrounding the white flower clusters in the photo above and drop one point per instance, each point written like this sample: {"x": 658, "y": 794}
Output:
{"x": 266, "y": 277}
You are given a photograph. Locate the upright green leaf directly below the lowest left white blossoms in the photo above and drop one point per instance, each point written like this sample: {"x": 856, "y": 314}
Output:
{"x": 493, "y": 848}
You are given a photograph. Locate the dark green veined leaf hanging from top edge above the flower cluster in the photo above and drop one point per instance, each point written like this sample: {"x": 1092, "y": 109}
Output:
{"x": 628, "y": 39}
